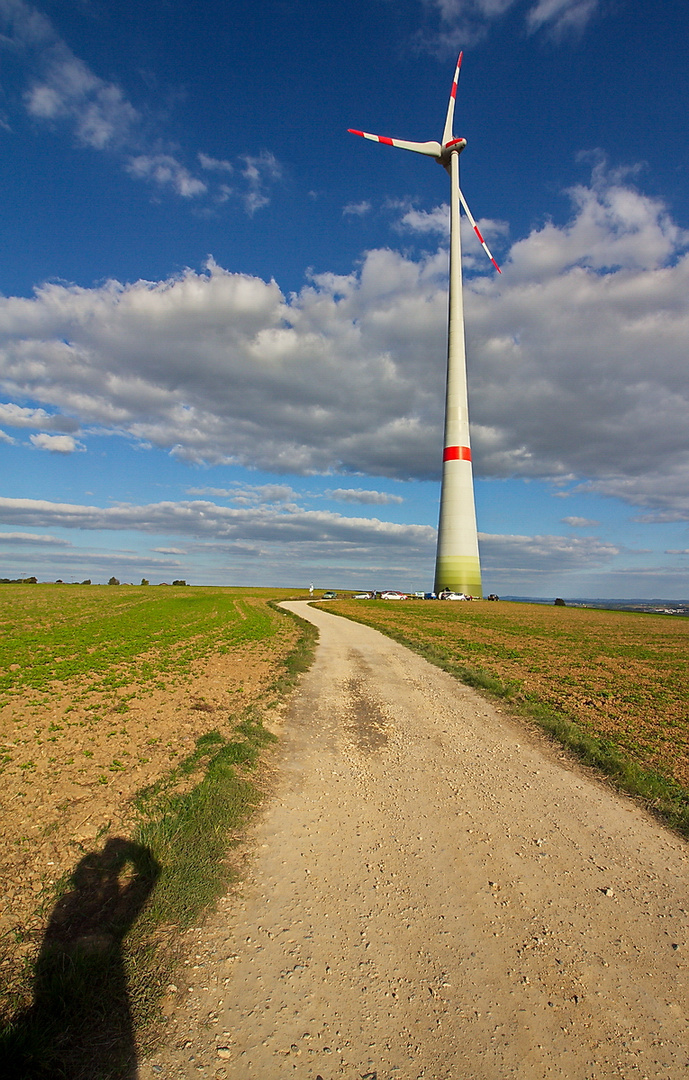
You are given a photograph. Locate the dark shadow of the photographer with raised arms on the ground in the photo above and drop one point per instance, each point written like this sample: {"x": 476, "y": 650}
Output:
{"x": 79, "y": 1027}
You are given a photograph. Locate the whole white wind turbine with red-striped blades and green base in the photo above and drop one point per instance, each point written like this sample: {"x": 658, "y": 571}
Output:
{"x": 457, "y": 565}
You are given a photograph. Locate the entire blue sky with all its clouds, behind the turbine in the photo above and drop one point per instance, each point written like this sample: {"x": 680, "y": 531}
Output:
{"x": 223, "y": 318}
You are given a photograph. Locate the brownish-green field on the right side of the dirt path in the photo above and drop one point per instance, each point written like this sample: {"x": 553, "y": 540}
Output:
{"x": 613, "y": 685}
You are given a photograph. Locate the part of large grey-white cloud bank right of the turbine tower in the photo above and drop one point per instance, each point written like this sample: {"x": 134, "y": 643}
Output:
{"x": 579, "y": 358}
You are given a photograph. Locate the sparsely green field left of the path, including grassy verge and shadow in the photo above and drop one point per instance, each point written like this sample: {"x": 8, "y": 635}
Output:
{"x": 132, "y": 738}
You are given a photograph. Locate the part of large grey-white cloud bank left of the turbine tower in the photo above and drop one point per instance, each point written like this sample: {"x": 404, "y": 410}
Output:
{"x": 222, "y": 368}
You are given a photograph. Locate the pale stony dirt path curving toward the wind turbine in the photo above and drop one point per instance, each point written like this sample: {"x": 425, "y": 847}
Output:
{"x": 437, "y": 895}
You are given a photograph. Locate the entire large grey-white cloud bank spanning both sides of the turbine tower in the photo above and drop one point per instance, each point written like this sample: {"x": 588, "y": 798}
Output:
{"x": 577, "y": 359}
